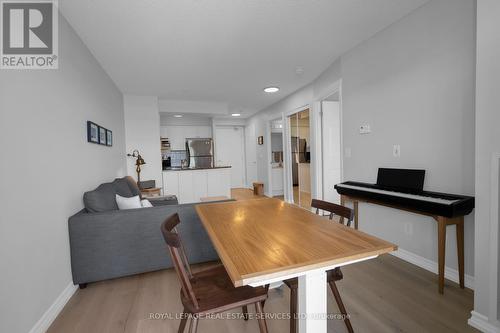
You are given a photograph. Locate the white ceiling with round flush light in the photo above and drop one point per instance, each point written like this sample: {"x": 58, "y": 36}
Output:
{"x": 225, "y": 50}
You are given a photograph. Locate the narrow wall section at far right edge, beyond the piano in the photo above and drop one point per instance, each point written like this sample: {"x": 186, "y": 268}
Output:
{"x": 487, "y": 144}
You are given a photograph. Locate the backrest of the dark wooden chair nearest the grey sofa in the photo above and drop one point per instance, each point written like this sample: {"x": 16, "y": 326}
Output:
{"x": 178, "y": 255}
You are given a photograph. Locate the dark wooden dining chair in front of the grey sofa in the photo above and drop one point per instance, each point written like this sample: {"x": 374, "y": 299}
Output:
{"x": 209, "y": 291}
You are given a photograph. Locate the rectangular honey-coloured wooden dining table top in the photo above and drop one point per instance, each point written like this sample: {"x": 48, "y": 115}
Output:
{"x": 263, "y": 239}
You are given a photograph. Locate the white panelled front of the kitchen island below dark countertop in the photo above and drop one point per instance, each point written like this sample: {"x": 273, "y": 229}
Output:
{"x": 192, "y": 184}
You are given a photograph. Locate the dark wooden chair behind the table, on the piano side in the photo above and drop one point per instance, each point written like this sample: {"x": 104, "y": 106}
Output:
{"x": 331, "y": 275}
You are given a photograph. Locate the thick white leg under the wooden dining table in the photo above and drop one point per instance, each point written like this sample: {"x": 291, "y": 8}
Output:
{"x": 312, "y": 302}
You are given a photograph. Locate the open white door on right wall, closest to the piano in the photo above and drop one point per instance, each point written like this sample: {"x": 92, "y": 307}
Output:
{"x": 331, "y": 150}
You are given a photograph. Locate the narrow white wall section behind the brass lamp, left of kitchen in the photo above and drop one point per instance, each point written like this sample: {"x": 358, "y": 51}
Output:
{"x": 142, "y": 131}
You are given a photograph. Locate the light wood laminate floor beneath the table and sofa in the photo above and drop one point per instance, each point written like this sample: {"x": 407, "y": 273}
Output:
{"x": 381, "y": 295}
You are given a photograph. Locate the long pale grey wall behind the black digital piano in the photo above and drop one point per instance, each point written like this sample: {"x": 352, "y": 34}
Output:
{"x": 414, "y": 83}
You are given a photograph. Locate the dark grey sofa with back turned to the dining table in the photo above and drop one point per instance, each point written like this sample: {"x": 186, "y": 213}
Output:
{"x": 108, "y": 243}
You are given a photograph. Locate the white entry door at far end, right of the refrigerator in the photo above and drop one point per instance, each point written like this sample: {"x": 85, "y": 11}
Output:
{"x": 230, "y": 151}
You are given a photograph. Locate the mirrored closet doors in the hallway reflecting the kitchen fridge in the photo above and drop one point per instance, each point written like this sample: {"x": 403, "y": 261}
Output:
{"x": 300, "y": 157}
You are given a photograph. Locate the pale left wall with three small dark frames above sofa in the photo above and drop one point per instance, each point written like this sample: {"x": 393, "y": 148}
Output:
{"x": 46, "y": 166}
